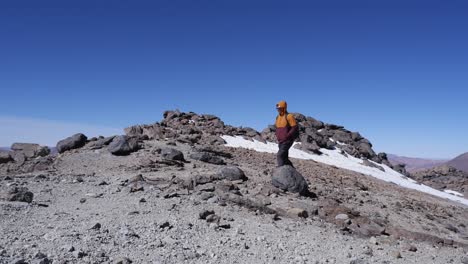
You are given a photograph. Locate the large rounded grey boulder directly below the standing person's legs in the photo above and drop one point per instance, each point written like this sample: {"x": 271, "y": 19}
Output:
{"x": 287, "y": 178}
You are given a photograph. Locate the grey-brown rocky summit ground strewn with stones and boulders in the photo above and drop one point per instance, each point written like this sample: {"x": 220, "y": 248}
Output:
{"x": 173, "y": 192}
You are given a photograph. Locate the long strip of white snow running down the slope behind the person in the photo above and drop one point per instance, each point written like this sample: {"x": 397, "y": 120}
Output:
{"x": 334, "y": 157}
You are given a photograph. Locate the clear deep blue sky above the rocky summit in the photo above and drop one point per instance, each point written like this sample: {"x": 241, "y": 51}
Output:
{"x": 396, "y": 71}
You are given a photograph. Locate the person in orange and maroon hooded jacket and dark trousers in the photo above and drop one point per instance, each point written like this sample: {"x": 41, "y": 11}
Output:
{"x": 286, "y": 133}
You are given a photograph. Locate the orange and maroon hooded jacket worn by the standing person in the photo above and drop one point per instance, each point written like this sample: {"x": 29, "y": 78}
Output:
{"x": 286, "y": 126}
